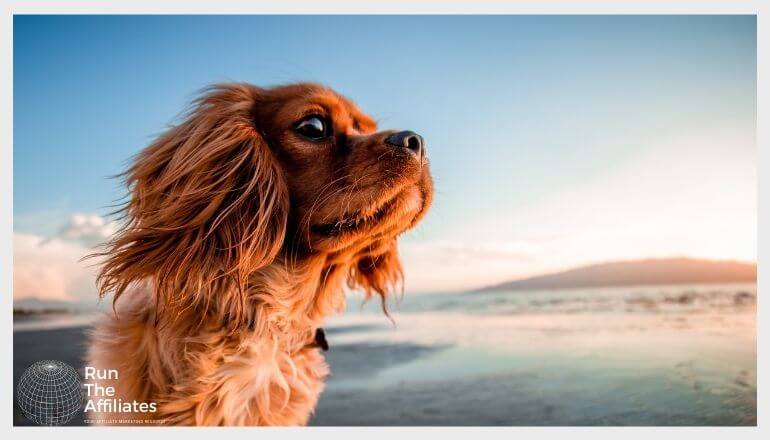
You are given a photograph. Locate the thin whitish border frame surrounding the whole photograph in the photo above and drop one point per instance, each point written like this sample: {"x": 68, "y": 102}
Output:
{"x": 9, "y": 8}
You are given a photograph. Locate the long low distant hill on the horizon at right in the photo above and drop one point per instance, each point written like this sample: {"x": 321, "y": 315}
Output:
{"x": 638, "y": 272}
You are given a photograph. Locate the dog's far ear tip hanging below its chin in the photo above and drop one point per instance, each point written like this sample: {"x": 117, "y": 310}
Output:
{"x": 378, "y": 272}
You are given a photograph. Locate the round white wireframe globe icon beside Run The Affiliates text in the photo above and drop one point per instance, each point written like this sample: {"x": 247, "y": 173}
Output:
{"x": 50, "y": 393}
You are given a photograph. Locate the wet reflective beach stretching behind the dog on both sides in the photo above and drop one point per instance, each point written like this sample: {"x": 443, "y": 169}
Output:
{"x": 664, "y": 355}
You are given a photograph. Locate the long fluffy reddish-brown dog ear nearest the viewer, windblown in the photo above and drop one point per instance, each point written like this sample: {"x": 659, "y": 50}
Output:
{"x": 208, "y": 205}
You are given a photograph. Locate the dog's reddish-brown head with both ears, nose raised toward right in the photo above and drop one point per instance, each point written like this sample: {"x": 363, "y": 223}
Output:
{"x": 253, "y": 175}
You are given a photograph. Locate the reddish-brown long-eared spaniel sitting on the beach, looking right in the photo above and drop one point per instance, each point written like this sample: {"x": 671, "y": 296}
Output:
{"x": 243, "y": 226}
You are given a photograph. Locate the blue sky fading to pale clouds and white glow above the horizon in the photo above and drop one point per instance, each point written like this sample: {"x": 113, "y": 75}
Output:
{"x": 554, "y": 141}
